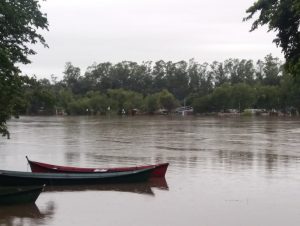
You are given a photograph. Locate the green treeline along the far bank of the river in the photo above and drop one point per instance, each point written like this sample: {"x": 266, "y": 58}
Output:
{"x": 148, "y": 87}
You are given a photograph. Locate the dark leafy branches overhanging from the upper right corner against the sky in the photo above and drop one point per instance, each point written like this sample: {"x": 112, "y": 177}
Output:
{"x": 282, "y": 16}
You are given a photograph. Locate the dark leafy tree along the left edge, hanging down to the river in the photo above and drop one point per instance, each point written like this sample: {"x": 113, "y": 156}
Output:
{"x": 19, "y": 22}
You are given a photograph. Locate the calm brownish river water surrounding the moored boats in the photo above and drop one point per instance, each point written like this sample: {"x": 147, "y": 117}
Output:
{"x": 223, "y": 171}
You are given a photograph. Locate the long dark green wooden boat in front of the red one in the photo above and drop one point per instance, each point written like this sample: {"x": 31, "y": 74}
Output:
{"x": 16, "y": 178}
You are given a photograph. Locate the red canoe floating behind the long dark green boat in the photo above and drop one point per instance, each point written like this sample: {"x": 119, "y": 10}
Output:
{"x": 39, "y": 167}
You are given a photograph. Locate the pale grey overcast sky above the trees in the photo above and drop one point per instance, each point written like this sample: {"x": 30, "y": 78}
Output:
{"x": 84, "y": 32}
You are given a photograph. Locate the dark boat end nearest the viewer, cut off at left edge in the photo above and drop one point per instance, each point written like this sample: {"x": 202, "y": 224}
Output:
{"x": 18, "y": 195}
